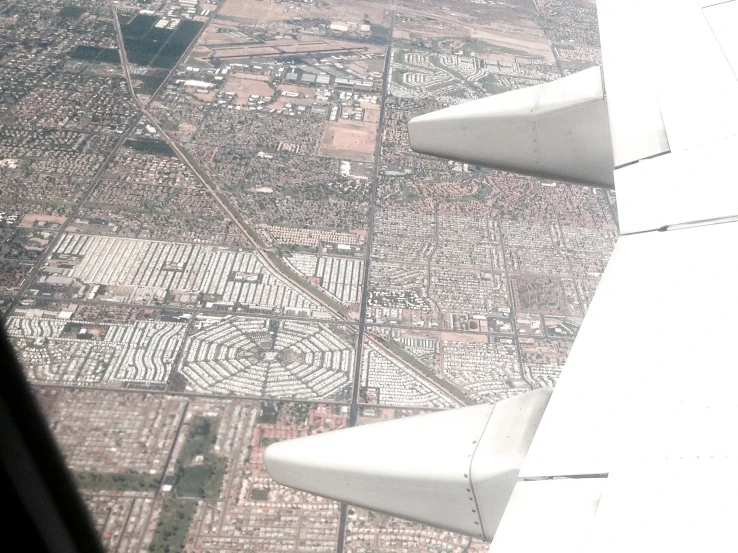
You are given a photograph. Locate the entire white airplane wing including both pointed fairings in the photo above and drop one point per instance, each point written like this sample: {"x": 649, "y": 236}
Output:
{"x": 636, "y": 448}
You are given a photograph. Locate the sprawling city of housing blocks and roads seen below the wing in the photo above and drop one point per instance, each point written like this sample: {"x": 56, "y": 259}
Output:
{"x": 214, "y": 236}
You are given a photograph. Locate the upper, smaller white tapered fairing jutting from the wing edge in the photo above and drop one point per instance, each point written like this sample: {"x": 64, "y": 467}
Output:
{"x": 558, "y": 130}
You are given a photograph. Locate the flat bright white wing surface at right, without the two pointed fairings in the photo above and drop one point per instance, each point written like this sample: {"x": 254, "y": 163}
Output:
{"x": 647, "y": 401}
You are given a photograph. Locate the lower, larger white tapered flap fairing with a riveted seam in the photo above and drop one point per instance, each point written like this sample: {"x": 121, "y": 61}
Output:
{"x": 453, "y": 469}
